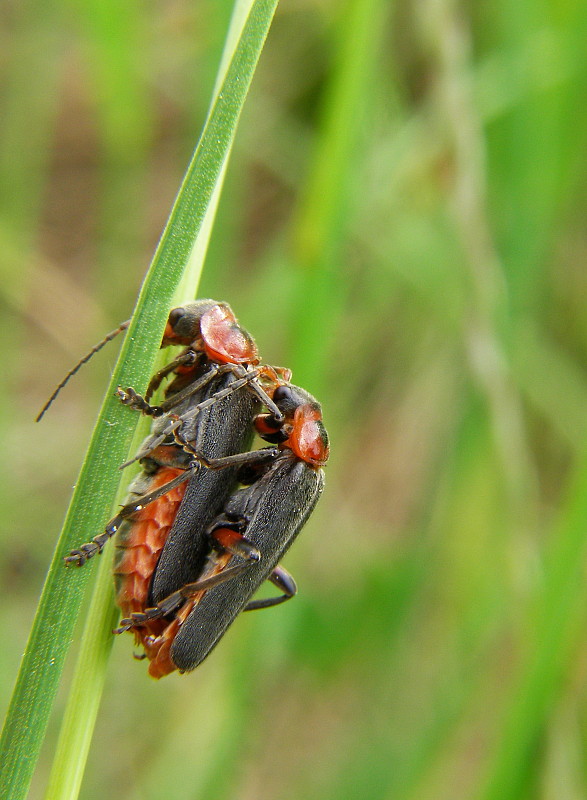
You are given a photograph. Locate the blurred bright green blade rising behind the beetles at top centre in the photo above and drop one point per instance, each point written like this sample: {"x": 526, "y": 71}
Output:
{"x": 319, "y": 235}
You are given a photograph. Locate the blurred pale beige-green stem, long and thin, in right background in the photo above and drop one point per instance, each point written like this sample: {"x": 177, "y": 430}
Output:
{"x": 488, "y": 297}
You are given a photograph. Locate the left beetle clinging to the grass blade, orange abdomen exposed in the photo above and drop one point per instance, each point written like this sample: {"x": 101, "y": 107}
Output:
{"x": 173, "y": 498}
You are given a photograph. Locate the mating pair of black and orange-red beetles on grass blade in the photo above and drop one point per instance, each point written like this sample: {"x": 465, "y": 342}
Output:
{"x": 192, "y": 547}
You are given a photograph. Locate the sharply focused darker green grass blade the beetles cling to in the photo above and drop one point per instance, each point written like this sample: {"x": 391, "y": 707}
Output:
{"x": 63, "y": 593}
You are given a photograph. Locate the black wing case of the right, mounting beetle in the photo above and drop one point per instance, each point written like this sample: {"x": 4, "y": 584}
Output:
{"x": 276, "y": 507}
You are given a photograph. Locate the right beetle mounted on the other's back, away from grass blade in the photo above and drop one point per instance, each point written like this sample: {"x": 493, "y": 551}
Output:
{"x": 246, "y": 541}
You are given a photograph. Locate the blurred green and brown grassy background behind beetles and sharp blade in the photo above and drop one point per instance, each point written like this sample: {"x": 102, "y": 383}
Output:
{"x": 403, "y": 225}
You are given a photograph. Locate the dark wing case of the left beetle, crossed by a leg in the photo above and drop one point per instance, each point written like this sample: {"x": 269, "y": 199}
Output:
{"x": 222, "y": 429}
